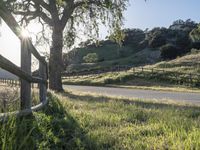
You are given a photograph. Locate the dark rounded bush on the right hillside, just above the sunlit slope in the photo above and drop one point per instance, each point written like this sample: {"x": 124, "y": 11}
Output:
{"x": 170, "y": 51}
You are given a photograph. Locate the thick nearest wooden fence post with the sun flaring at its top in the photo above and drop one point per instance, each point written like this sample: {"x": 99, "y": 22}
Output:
{"x": 25, "y": 92}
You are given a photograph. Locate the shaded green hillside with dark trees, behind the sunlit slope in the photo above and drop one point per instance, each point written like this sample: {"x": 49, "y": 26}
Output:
{"x": 172, "y": 42}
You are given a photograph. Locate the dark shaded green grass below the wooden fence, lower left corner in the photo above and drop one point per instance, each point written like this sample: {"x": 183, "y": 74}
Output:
{"x": 52, "y": 128}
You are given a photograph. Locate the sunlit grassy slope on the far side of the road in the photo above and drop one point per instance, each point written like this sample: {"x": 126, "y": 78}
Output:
{"x": 159, "y": 80}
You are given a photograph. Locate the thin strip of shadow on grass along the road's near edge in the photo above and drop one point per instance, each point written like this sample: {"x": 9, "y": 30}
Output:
{"x": 139, "y": 103}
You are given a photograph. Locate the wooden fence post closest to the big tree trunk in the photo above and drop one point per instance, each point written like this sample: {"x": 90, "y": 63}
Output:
{"x": 42, "y": 86}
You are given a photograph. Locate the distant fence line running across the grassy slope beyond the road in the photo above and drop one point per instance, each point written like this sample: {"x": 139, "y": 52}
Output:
{"x": 151, "y": 73}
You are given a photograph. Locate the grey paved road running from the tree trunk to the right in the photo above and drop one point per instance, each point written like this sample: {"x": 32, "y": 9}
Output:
{"x": 141, "y": 94}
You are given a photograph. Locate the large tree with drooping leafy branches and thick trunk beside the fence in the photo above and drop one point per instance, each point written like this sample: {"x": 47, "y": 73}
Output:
{"x": 63, "y": 18}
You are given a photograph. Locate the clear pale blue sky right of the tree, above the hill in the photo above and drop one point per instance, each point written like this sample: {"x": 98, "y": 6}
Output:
{"x": 157, "y": 13}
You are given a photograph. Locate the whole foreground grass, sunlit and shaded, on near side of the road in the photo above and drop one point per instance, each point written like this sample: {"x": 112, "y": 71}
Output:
{"x": 79, "y": 121}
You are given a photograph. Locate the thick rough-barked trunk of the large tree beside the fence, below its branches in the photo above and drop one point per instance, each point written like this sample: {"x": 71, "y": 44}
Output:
{"x": 56, "y": 62}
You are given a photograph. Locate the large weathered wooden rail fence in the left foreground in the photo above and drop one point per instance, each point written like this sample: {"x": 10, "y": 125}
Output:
{"x": 24, "y": 73}
